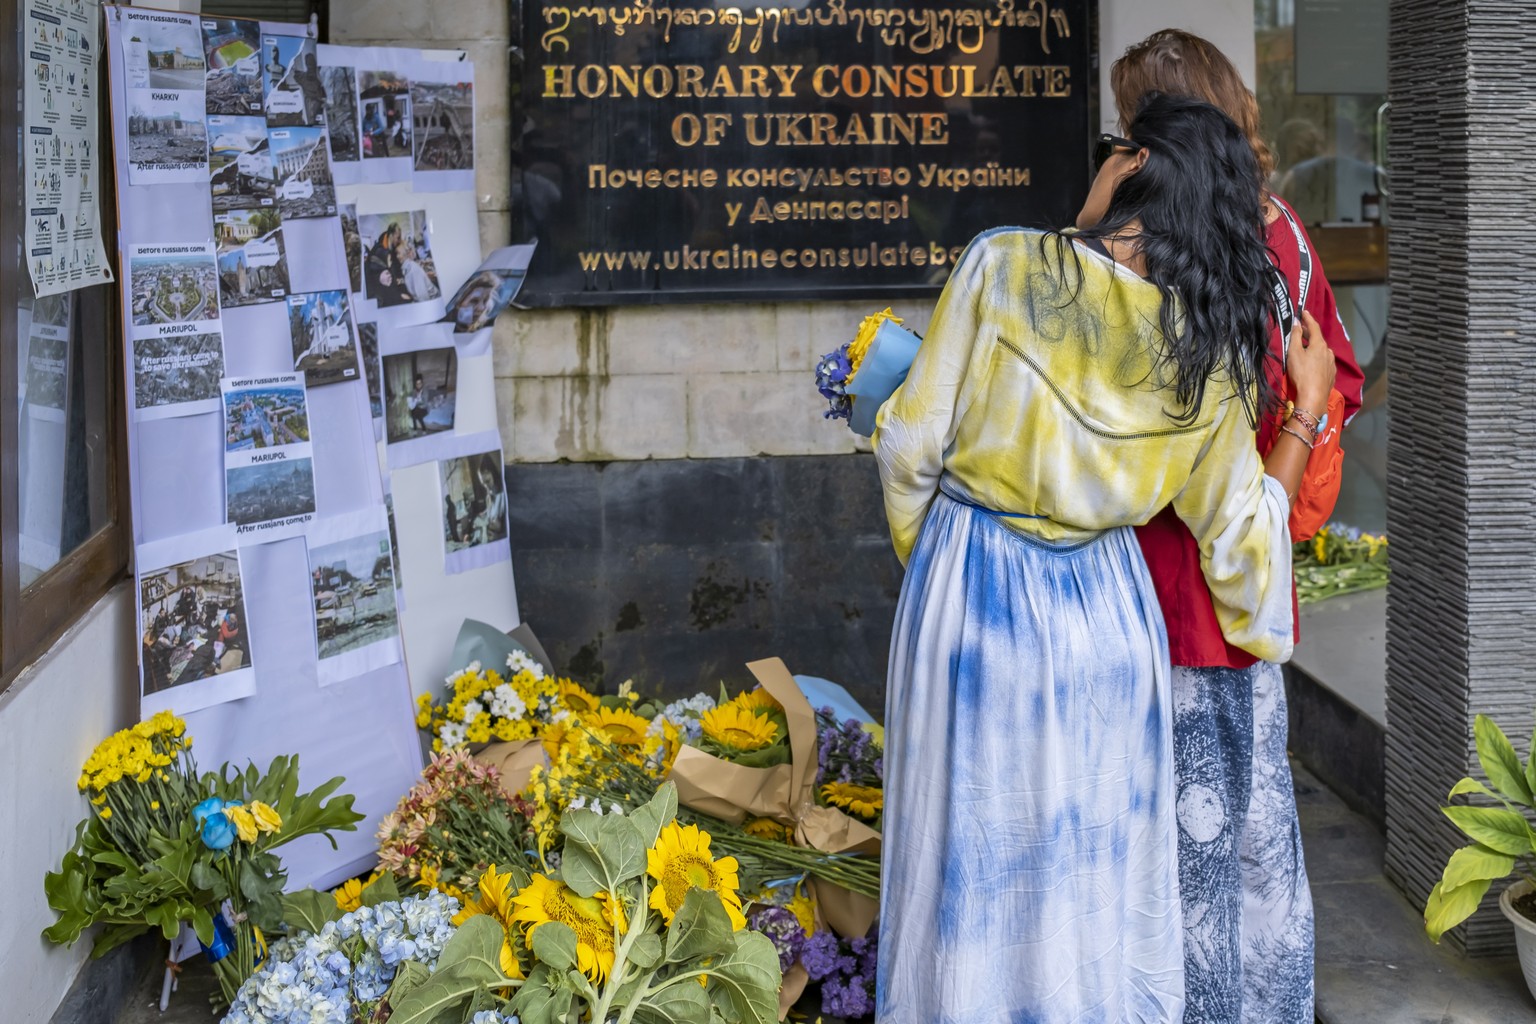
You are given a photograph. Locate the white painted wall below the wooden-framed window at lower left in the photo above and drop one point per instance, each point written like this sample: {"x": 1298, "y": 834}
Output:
{"x": 53, "y": 716}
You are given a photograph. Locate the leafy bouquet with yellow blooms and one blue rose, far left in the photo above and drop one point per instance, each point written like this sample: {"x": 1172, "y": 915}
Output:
{"x": 168, "y": 847}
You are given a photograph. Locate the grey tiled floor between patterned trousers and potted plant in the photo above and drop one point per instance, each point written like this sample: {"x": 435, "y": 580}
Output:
{"x": 1375, "y": 965}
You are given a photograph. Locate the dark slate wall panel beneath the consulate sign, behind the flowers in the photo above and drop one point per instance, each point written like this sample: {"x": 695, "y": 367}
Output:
{"x": 680, "y": 572}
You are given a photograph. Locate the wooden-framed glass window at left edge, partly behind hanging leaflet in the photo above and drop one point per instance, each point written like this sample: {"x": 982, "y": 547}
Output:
{"x": 64, "y": 520}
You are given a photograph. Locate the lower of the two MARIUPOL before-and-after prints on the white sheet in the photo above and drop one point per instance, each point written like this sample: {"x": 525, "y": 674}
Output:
{"x": 270, "y": 469}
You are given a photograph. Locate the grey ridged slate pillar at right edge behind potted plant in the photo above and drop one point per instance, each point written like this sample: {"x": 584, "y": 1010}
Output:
{"x": 1463, "y": 449}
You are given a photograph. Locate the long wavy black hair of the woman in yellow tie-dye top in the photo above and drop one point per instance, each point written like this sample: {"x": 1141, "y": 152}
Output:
{"x": 1202, "y": 236}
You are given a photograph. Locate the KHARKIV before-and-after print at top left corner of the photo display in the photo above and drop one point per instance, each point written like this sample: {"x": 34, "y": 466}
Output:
{"x": 167, "y": 73}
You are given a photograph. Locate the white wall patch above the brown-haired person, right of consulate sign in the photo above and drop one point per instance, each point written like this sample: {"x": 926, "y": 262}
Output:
{"x": 1124, "y": 24}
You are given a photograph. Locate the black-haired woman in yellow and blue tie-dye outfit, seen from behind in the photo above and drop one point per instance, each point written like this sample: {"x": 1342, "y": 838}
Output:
{"x": 1070, "y": 388}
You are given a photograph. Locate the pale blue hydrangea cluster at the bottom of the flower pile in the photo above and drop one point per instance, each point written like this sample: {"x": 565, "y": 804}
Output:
{"x": 317, "y": 979}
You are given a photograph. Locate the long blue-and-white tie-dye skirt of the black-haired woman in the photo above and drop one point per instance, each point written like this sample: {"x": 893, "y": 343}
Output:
{"x": 1030, "y": 853}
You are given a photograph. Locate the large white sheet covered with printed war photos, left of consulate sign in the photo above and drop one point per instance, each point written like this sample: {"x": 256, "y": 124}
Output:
{"x": 291, "y": 219}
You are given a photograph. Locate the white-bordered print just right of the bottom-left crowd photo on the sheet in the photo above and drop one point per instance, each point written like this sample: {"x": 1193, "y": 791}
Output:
{"x": 353, "y": 580}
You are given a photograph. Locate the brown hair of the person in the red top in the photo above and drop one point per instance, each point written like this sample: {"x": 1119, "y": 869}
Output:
{"x": 1182, "y": 64}
